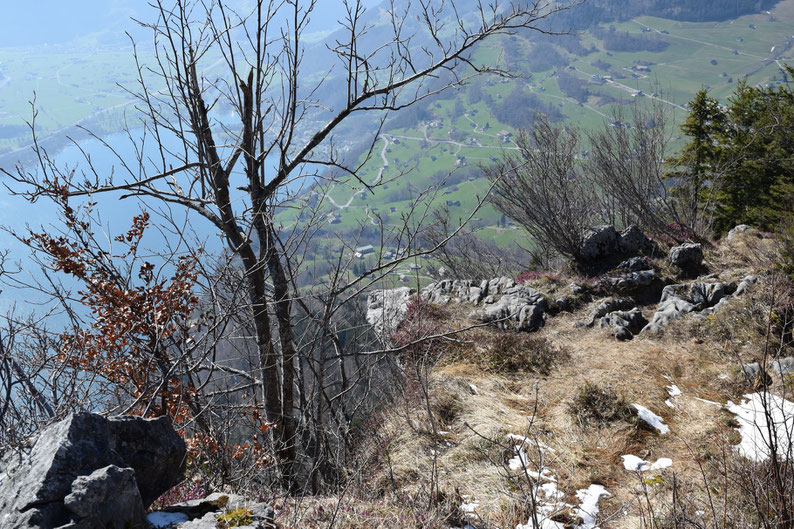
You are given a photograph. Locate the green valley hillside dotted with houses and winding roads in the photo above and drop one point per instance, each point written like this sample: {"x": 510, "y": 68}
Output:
{"x": 643, "y": 59}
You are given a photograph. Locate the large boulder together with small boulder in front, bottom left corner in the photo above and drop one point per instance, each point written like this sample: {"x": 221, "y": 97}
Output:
{"x": 54, "y": 481}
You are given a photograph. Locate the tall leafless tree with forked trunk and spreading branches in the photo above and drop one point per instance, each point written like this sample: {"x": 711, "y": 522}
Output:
{"x": 241, "y": 174}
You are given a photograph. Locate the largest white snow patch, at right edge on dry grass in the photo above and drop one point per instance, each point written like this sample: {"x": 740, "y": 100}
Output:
{"x": 759, "y": 435}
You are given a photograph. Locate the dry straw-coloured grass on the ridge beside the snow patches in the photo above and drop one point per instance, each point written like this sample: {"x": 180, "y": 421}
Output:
{"x": 494, "y": 383}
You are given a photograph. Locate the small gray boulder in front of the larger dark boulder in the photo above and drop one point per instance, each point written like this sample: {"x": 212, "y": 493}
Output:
{"x": 107, "y": 498}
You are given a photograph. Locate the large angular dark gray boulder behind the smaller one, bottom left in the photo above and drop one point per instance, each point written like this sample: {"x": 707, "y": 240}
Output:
{"x": 35, "y": 481}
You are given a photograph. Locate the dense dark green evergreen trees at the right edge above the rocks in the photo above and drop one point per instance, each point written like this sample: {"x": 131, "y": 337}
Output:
{"x": 740, "y": 161}
